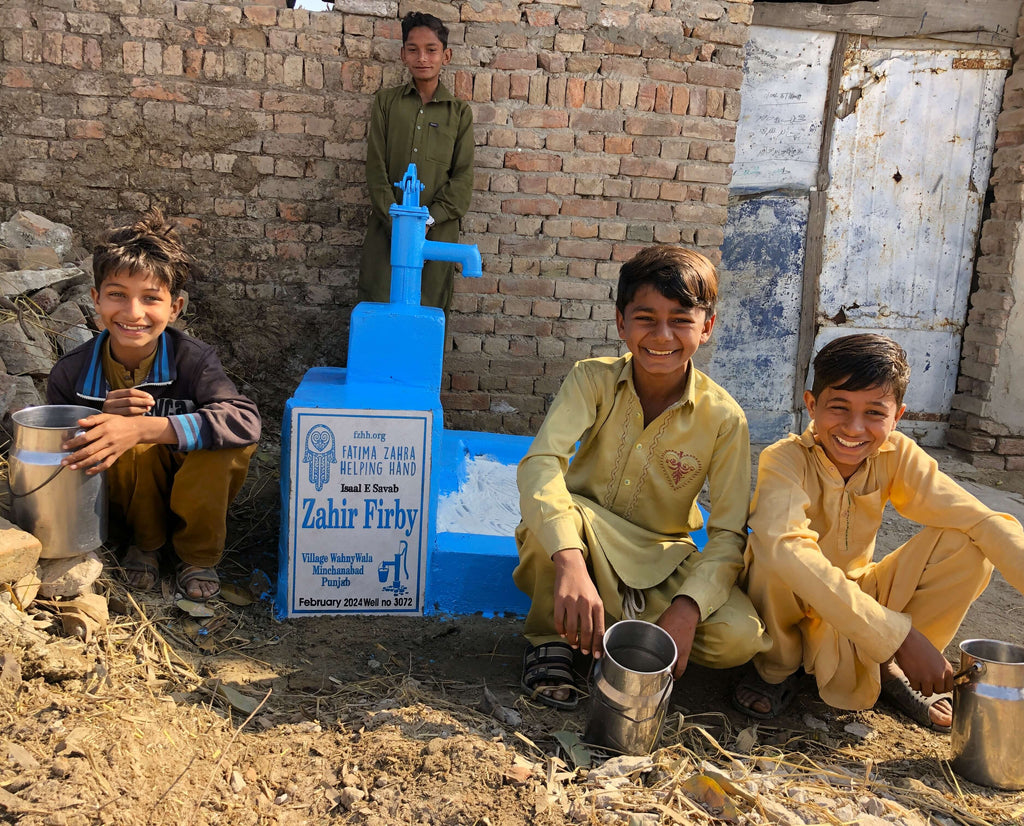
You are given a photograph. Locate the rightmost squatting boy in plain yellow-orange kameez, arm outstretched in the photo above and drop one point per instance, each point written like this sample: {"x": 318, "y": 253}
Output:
{"x": 865, "y": 629}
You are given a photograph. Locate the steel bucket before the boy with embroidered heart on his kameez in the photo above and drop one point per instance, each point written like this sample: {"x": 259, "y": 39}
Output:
{"x": 630, "y": 688}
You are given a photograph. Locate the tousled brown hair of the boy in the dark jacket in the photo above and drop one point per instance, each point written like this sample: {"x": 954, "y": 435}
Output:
{"x": 150, "y": 247}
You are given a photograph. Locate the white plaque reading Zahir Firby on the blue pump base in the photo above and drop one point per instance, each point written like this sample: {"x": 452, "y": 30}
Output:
{"x": 359, "y": 511}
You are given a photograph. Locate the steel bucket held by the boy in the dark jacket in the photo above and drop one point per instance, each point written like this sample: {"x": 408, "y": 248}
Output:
{"x": 65, "y": 509}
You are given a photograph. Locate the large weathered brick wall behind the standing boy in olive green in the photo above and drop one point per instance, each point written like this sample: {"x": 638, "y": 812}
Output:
{"x": 601, "y": 127}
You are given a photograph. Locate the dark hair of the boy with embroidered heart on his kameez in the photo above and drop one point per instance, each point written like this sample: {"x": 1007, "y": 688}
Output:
{"x": 675, "y": 273}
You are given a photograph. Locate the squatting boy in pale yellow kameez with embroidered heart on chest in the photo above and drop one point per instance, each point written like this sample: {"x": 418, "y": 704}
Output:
{"x": 609, "y": 537}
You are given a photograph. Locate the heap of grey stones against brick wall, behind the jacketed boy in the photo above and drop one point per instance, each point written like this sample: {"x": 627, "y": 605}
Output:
{"x": 46, "y": 306}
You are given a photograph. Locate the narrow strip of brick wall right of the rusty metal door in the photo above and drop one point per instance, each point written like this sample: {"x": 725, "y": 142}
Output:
{"x": 986, "y": 423}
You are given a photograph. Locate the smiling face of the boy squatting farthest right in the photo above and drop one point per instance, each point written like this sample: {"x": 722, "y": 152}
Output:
{"x": 852, "y": 425}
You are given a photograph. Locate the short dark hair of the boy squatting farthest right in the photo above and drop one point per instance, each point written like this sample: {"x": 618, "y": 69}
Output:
{"x": 862, "y": 362}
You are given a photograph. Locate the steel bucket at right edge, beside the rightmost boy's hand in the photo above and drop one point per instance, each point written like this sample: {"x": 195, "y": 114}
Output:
{"x": 989, "y": 714}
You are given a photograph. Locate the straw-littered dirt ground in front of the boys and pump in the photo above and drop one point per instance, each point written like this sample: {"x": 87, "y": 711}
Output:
{"x": 241, "y": 719}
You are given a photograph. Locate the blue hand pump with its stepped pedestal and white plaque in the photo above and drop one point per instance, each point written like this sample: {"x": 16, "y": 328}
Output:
{"x": 358, "y": 446}
